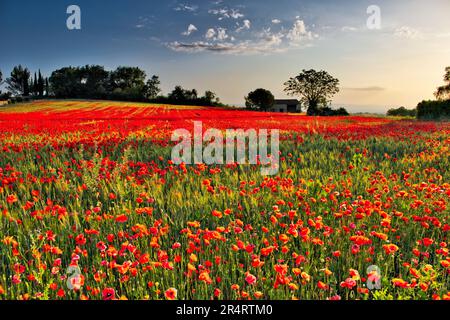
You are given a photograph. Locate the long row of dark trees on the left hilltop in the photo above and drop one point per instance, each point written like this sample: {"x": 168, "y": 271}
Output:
{"x": 94, "y": 82}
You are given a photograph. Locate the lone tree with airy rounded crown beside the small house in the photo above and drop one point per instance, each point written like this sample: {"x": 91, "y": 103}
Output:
{"x": 314, "y": 88}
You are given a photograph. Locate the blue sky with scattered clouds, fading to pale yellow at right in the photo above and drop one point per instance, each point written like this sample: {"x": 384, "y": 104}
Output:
{"x": 234, "y": 46}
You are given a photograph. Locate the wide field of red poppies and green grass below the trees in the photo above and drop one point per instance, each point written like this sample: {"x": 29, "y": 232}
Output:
{"x": 92, "y": 207}
